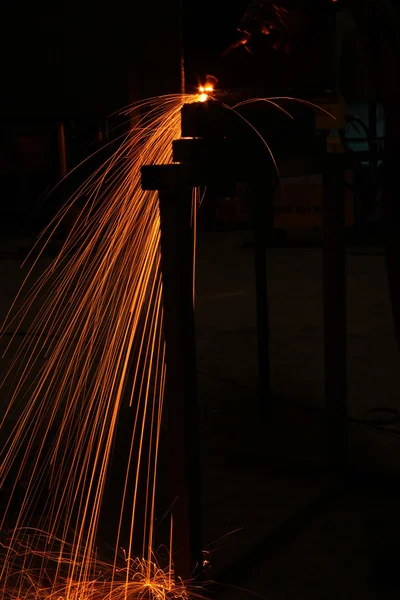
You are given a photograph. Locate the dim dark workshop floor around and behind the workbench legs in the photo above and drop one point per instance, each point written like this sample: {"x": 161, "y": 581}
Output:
{"x": 276, "y": 522}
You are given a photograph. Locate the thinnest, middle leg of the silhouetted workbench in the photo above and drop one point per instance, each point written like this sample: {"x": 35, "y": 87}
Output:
{"x": 259, "y": 200}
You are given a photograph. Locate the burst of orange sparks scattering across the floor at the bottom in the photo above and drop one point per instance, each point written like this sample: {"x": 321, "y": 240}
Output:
{"x": 134, "y": 579}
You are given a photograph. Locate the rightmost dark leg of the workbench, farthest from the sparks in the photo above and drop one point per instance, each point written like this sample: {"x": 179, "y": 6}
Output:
{"x": 334, "y": 289}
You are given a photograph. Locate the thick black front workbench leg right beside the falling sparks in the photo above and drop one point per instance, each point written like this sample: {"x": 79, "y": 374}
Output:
{"x": 181, "y": 384}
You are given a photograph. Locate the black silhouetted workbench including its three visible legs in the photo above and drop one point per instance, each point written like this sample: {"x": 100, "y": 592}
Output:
{"x": 223, "y": 150}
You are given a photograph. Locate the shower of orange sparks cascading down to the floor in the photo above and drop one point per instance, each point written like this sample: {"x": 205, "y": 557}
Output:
{"x": 94, "y": 341}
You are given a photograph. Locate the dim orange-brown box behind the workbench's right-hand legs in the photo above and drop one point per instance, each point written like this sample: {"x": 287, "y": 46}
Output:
{"x": 299, "y": 201}
